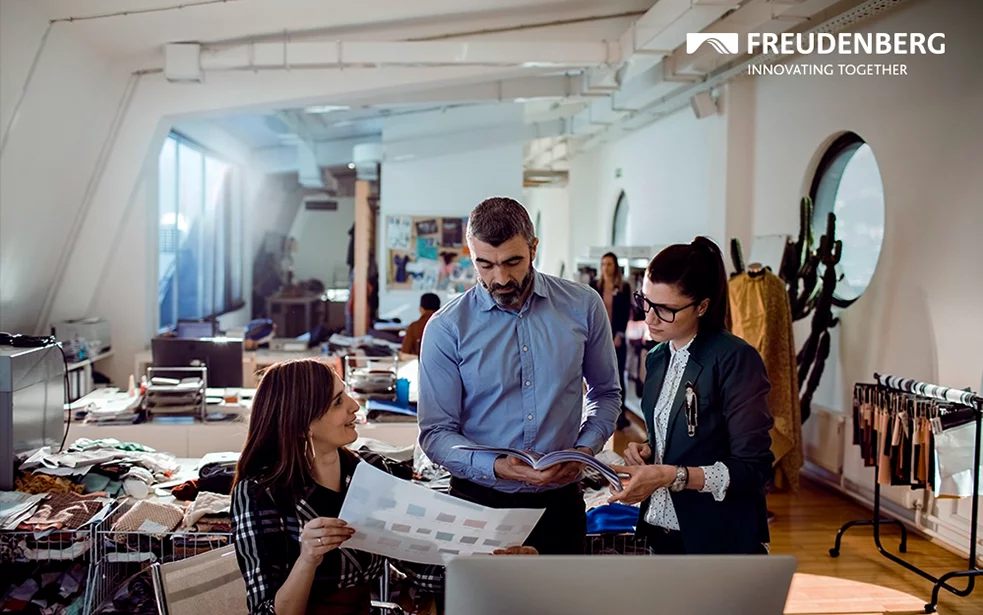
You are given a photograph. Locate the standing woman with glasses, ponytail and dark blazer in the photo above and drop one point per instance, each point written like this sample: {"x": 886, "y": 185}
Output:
{"x": 701, "y": 475}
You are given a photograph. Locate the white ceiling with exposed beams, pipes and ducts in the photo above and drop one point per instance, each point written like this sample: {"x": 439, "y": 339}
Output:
{"x": 585, "y": 71}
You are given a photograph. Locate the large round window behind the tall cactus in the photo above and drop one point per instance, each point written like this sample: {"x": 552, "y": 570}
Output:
{"x": 848, "y": 183}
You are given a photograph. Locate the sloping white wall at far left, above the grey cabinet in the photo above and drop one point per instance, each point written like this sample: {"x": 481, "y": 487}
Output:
{"x": 50, "y": 154}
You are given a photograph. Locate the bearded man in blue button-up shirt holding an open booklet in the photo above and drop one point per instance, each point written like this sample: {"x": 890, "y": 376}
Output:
{"x": 504, "y": 365}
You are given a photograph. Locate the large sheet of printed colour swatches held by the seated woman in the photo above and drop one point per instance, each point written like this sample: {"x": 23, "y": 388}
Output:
{"x": 402, "y": 520}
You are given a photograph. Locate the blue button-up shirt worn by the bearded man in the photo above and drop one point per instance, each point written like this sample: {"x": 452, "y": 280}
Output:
{"x": 495, "y": 377}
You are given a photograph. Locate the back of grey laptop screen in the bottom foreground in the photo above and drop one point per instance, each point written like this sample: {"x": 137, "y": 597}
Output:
{"x": 618, "y": 585}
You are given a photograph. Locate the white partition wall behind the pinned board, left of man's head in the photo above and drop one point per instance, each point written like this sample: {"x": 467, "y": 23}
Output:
{"x": 444, "y": 185}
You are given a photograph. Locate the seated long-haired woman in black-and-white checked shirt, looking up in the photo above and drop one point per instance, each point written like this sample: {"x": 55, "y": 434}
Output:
{"x": 290, "y": 484}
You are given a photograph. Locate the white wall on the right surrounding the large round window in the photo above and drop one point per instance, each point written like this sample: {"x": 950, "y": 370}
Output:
{"x": 921, "y": 315}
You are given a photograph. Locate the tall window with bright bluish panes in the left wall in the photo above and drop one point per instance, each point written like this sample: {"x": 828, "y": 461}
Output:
{"x": 199, "y": 254}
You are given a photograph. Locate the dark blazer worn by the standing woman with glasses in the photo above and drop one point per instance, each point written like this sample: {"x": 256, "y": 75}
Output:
{"x": 733, "y": 423}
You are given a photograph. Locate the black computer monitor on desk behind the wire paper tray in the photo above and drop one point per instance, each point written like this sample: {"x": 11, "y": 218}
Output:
{"x": 222, "y": 356}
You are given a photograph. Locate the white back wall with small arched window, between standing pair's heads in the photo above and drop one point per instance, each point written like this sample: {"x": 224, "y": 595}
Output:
{"x": 672, "y": 173}
